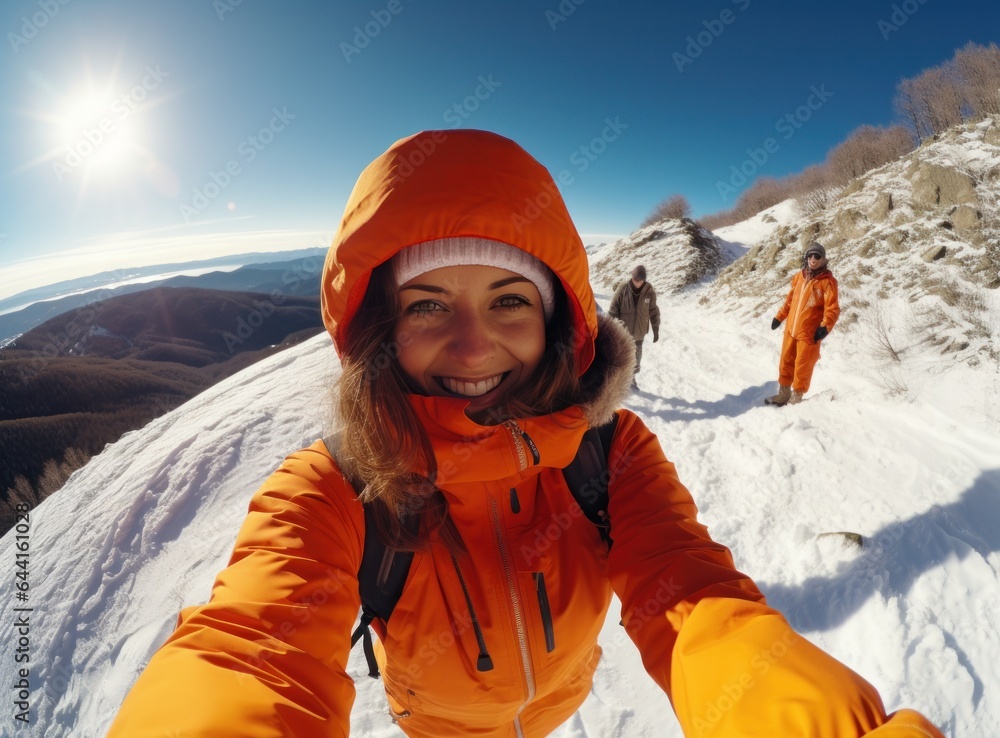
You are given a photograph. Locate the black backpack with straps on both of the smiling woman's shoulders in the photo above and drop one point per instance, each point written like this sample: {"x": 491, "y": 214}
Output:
{"x": 383, "y": 571}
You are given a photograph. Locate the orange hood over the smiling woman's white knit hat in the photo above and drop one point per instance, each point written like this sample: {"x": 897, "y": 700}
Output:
{"x": 443, "y": 184}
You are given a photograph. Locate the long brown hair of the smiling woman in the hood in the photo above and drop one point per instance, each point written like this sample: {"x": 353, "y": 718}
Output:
{"x": 383, "y": 439}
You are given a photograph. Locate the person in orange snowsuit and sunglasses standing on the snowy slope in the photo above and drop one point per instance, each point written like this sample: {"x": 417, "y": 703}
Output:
{"x": 812, "y": 306}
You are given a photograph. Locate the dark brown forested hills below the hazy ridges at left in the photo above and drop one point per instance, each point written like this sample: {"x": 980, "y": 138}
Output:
{"x": 81, "y": 379}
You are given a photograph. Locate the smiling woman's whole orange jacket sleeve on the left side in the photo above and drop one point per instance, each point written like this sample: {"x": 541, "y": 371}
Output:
{"x": 266, "y": 657}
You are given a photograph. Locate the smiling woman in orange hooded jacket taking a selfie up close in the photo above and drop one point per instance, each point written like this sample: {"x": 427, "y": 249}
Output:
{"x": 472, "y": 355}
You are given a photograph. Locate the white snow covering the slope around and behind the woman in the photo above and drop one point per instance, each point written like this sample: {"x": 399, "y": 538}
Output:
{"x": 141, "y": 531}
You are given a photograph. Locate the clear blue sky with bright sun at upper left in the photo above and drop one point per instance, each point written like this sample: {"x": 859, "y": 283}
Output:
{"x": 206, "y": 125}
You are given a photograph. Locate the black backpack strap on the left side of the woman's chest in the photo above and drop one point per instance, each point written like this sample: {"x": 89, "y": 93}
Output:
{"x": 383, "y": 571}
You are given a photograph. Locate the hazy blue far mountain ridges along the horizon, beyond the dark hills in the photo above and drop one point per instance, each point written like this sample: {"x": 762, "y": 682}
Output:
{"x": 297, "y": 274}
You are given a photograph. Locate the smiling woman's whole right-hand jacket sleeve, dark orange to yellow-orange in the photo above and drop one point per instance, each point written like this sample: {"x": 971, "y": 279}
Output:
{"x": 731, "y": 665}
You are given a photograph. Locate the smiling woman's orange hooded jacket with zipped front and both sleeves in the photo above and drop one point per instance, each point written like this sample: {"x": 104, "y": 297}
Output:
{"x": 267, "y": 655}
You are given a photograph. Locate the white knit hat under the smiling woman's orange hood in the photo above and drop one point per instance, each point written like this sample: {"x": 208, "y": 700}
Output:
{"x": 465, "y": 250}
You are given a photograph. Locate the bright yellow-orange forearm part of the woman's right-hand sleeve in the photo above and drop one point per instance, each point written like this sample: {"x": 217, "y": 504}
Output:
{"x": 740, "y": 670}
